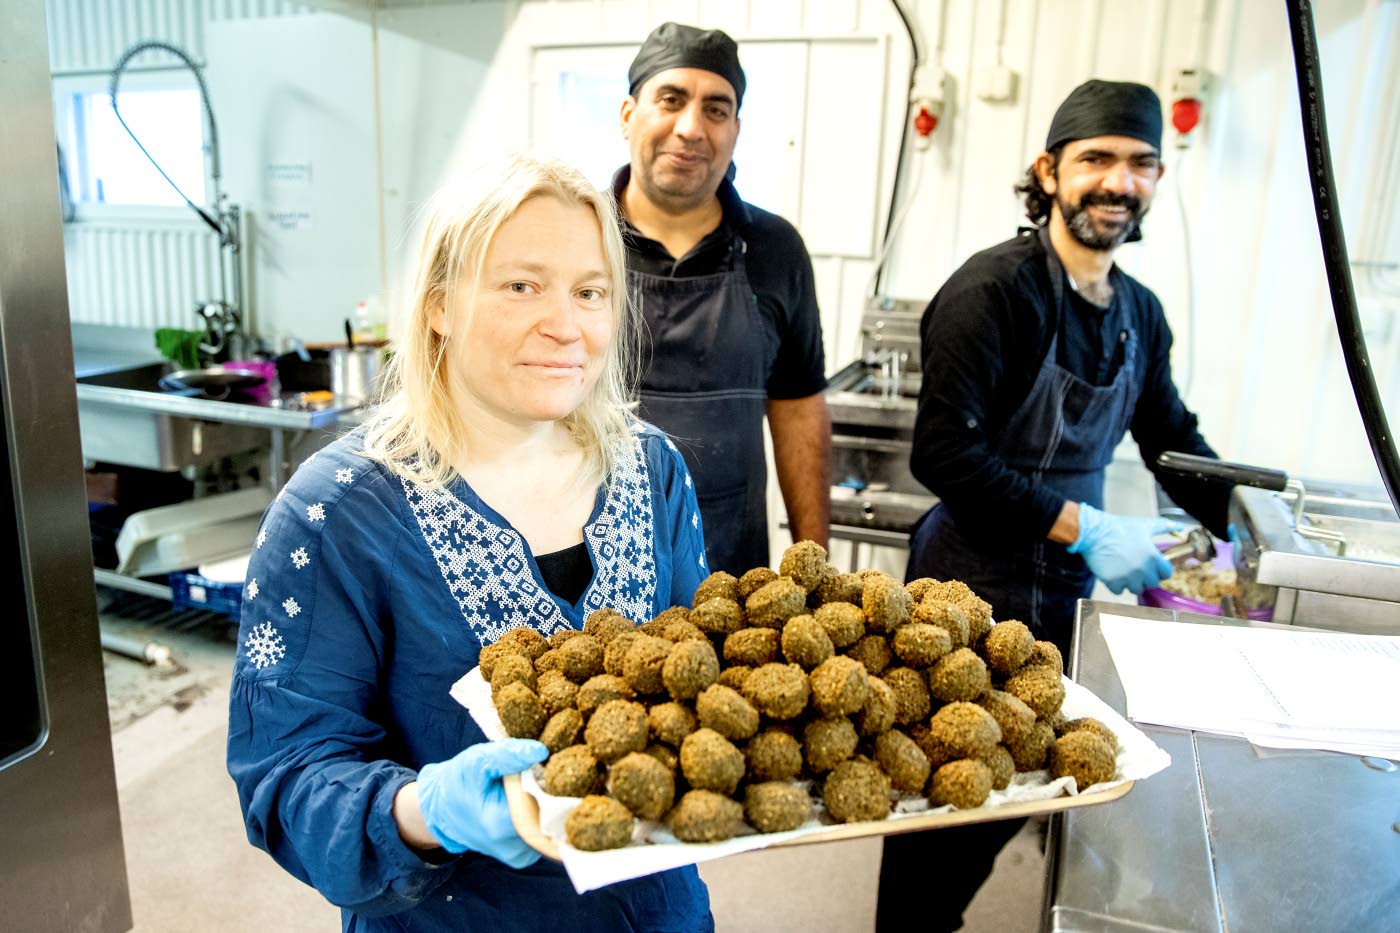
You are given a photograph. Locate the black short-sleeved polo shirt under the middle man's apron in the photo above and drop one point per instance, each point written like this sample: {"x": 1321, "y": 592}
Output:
{"x": 779, "y": 270}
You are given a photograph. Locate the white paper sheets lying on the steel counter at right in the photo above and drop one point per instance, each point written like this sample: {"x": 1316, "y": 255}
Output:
{"x": 1276, "y": 687}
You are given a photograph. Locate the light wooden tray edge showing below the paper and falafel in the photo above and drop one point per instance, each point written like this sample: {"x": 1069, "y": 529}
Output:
{"x": 526, "y": 816}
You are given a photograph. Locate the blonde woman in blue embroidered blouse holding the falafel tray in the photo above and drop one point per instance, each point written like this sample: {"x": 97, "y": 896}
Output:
{"x": 500, "y": 484}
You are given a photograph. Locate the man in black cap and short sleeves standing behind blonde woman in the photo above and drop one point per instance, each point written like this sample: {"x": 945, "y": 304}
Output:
{"x": 729, "y": 298}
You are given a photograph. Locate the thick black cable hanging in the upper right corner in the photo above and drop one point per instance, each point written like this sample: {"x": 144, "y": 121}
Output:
{"x": 1335, "y": 247}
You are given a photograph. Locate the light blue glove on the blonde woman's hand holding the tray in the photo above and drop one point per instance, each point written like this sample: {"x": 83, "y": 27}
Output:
{"x": 464, "y": 802}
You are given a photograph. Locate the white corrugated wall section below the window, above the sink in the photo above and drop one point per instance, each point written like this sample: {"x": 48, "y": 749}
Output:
{"x": 142, "y": 277}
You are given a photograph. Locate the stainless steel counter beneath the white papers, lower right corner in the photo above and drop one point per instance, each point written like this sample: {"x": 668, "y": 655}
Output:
{"x": 1230, "y": 837}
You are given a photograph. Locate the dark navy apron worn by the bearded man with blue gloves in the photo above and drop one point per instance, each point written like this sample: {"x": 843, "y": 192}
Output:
{"x": 1062, "y": 436}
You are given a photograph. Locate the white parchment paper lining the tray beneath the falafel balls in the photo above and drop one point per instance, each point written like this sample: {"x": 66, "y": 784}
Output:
{"x": 654, "y": 850}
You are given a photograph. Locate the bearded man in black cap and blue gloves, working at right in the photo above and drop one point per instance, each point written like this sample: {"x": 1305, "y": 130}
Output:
{"x": 1038, "y": 357}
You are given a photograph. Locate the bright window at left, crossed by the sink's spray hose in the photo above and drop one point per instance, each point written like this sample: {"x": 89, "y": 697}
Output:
{"x": 106, "y": 167}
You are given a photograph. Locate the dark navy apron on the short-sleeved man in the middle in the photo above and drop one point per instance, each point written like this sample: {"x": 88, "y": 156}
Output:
{"x": 706, "y": 386}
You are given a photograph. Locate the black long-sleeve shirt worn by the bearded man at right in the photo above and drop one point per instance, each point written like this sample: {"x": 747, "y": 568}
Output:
{"x": 985, "y": 338}
